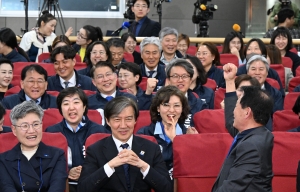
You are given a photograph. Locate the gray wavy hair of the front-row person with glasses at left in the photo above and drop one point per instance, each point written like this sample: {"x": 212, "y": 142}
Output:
{"x": 23, "y": 109}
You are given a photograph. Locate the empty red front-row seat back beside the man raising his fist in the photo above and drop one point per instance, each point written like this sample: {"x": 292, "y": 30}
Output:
{"x": 198, "y": 159}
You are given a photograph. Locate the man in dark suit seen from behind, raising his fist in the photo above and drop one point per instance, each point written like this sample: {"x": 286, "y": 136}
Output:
{"x": 248, "y": 165}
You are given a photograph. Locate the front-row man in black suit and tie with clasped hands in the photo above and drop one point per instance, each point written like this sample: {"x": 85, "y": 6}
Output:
{"x": 123, "y": 162}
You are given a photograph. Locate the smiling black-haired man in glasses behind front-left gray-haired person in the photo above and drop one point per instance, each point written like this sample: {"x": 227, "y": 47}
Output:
{"x": 34, "y": 85}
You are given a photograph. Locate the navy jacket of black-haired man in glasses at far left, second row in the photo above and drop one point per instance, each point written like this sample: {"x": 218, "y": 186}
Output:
{"x": 47, "y": 101}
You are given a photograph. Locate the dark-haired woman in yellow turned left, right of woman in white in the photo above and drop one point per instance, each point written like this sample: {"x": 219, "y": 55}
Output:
{"x": 85, "y": 36}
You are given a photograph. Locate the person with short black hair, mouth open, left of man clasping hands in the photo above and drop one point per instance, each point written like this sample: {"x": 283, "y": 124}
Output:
{"x": 76, "y": 127}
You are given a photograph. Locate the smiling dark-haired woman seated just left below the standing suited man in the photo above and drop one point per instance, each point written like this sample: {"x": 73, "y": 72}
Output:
{"x": 130, "y": 44}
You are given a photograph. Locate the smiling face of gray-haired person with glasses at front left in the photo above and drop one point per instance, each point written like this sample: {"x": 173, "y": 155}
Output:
{"x": 31, "y": 138}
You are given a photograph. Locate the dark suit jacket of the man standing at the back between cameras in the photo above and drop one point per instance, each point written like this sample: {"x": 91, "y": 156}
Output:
{"x": 149, "y": 28}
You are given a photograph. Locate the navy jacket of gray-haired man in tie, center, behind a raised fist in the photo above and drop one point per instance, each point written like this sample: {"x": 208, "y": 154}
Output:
{"x": 160, "y": 76}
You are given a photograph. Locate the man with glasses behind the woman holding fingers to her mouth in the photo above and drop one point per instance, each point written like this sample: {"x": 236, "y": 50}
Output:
{"x": 179, "y": 73}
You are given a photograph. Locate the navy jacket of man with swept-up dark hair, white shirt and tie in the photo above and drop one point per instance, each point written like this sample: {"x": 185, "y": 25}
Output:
{"x": 83, "y": 82}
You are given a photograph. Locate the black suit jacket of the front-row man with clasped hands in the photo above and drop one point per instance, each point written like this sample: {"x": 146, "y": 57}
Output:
{"x": 93, "y": 177}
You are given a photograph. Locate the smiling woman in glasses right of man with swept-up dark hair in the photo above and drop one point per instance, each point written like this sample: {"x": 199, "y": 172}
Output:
{"x": 97, "y": 51}
